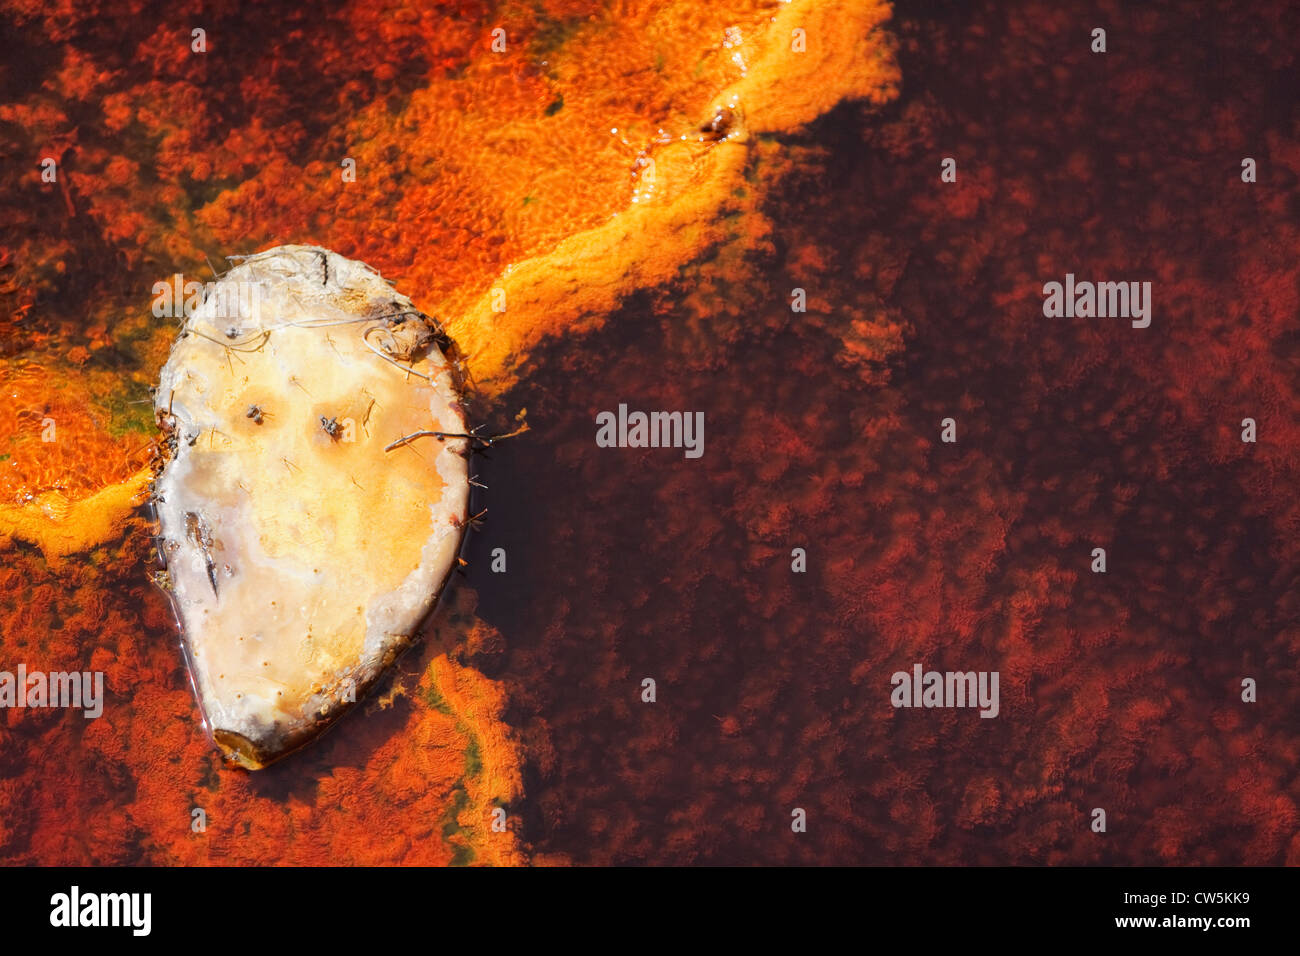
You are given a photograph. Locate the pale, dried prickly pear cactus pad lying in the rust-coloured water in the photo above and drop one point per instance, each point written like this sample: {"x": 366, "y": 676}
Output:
{"x": 304, "y": 539}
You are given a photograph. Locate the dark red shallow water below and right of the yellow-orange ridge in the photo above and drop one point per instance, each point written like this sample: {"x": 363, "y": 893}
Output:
{"x": 822, "y": 432}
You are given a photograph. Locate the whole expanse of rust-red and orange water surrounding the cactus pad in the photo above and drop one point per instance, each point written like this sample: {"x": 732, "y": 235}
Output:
{"x": 924, "y": 302}
